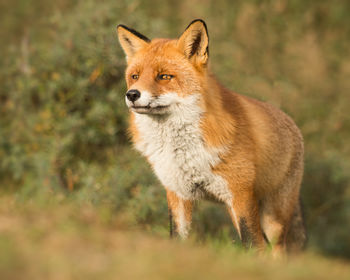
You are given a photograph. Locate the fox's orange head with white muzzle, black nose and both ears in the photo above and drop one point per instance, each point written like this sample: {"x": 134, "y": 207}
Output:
{"x": 163, "y": 73}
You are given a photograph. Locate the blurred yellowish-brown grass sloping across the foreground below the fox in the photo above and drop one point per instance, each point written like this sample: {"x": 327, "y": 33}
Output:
{"x": 63, "y": 240}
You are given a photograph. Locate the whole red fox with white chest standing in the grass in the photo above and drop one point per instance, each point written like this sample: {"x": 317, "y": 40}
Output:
{"x": 205, "y": 141}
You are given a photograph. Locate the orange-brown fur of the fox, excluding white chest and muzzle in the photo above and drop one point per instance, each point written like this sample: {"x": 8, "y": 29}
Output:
{"x": 262, "y": 160}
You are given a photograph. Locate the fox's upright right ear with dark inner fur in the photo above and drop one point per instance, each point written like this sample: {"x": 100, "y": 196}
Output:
{"x": 194, "y": 42}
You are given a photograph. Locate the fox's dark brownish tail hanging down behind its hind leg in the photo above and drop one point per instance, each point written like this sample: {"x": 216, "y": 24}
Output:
{"x": 296, "y": 237}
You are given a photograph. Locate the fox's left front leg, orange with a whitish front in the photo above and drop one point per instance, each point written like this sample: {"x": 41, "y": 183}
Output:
{"x": 181, "y": 210}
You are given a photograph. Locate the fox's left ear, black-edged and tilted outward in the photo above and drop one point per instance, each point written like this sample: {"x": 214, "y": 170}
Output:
{"x": 131, "y": 40}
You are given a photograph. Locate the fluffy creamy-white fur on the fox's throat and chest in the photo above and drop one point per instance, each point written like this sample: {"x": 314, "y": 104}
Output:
{"x": 180, "y": 158}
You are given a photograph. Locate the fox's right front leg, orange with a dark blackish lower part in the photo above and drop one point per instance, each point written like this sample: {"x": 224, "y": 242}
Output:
{"x": 244, "y": 211}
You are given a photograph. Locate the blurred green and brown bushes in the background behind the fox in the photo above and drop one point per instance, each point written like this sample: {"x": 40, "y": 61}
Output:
{"x": 63, "y": 119}
